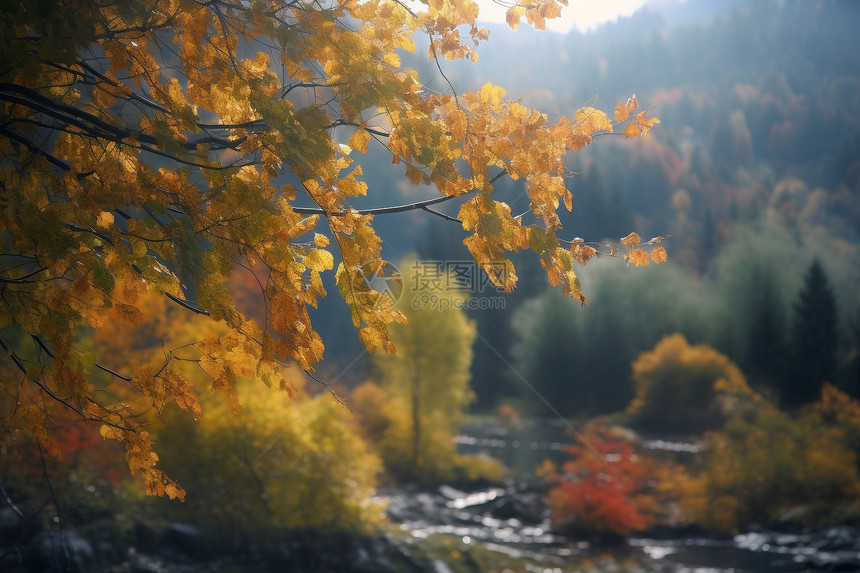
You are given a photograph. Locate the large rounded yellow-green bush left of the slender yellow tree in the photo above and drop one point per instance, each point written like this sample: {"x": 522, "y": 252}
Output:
{"x": 282, "y": 464}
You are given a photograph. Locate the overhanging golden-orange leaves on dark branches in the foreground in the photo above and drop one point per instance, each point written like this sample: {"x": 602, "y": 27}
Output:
{"x": 153, "y": 145}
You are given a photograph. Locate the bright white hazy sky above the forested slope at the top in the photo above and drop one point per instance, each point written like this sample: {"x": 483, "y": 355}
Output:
{"x": 583, "y": 14}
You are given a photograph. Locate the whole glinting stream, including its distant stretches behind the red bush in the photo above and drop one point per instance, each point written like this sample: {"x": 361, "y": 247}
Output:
{"x": 507, "y": 529}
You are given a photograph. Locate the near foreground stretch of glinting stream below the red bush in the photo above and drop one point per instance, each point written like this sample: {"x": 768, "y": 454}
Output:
{"x": 456, "y": 522}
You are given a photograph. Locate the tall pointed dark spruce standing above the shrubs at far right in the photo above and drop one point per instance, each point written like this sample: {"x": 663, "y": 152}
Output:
{"x": 814, "y": 338}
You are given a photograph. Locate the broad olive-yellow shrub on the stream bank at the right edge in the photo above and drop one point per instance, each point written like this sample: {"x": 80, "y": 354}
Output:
{"x": 765, "y": 463}
